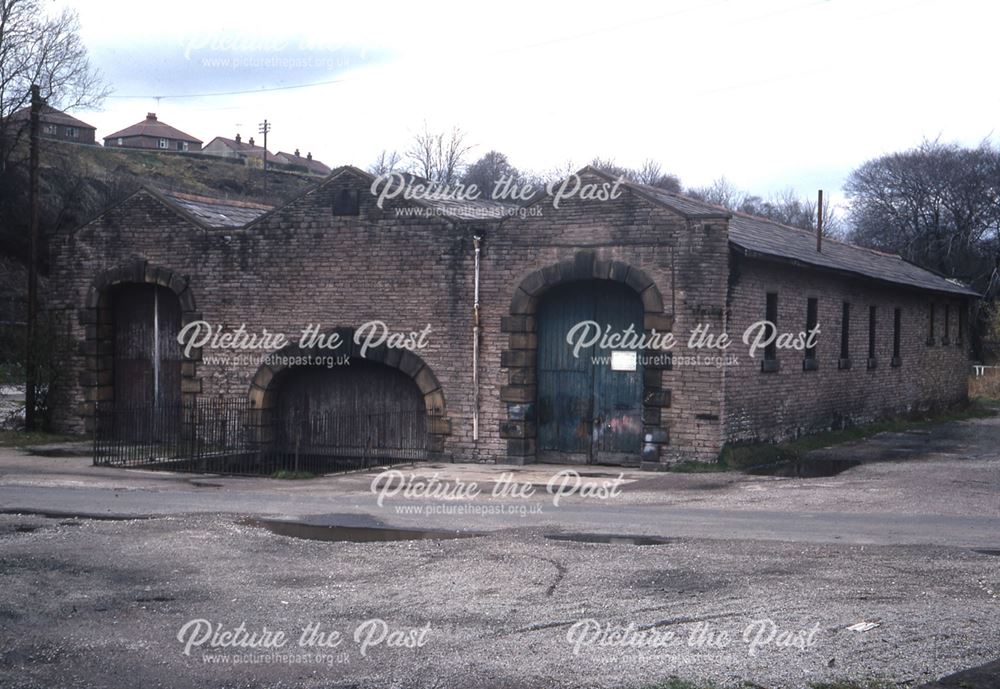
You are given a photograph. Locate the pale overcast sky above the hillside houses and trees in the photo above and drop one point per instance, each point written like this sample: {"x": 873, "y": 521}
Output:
{"x": 771, "y": 94}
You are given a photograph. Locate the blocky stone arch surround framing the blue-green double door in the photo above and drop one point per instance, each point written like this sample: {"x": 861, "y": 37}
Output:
{"x": 519, "y": 356}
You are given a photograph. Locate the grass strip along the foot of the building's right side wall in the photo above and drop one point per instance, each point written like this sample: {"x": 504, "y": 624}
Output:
{"x": 745, "y": 455}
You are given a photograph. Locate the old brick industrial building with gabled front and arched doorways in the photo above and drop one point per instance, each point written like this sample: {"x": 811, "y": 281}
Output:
{"x": 503, "y": 289}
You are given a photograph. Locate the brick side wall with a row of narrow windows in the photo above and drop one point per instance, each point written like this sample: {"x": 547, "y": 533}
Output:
{"x": 792, "y": 401}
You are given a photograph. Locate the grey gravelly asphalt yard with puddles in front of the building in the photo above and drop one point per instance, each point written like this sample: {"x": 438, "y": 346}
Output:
{"x": 758, "y": 578}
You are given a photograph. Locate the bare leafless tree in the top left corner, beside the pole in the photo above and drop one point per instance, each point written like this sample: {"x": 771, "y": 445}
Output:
{"x": 36, "y": 48}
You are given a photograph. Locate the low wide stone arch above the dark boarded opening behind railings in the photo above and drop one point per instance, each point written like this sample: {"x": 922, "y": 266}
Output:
{"x": 263, "y": 394}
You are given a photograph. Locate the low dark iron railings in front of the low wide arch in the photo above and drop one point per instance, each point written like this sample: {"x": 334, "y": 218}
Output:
{"x": 229, "y": 436}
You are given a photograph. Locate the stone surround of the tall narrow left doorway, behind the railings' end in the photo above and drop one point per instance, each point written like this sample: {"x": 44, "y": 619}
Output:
{"x": 95, "y": 316}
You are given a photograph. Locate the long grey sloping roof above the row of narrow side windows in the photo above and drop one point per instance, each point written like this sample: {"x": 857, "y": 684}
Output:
{"x": 758, "y": 236}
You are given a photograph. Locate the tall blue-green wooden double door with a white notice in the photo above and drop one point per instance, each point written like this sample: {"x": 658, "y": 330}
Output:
{"x": 587, "y": 412}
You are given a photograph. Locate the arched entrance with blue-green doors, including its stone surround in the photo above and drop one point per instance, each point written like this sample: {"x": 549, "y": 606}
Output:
{"x": 544, "y": 420}
